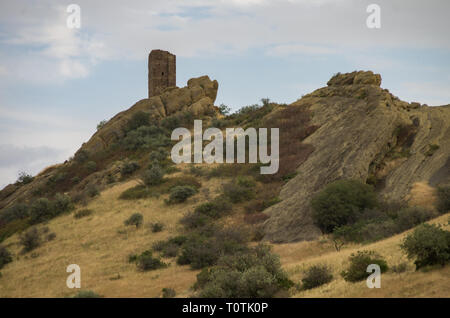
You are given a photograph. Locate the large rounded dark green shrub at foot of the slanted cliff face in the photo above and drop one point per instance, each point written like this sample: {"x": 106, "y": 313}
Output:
{"x": 341, "y": 203}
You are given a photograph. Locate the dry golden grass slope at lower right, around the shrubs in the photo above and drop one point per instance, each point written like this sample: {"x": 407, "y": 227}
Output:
{"x": 296, "y": 257}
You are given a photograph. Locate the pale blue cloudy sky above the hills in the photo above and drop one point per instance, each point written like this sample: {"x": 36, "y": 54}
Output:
{"x": 57, "y": 83}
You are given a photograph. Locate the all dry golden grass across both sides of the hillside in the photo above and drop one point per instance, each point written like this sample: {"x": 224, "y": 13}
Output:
{"x": 100, "y": 244}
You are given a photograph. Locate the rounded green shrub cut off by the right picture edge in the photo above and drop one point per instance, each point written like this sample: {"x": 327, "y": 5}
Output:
{"x": 428, "y": 245}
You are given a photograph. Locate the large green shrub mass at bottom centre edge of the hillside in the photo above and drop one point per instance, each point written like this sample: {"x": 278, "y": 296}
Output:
{"x": 255, "y": 273}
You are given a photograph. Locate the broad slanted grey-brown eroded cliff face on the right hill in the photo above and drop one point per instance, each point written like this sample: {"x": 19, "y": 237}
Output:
{"x": 367, "y": 134}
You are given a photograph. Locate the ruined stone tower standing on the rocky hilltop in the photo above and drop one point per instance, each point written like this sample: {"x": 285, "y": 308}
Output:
{"x": 161, "y": 71}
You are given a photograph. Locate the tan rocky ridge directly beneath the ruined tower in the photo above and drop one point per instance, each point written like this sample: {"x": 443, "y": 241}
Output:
{"x": 197, "y": 97}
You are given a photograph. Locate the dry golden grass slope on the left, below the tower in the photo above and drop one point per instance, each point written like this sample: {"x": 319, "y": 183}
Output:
{"x": 95, "y": 244}
